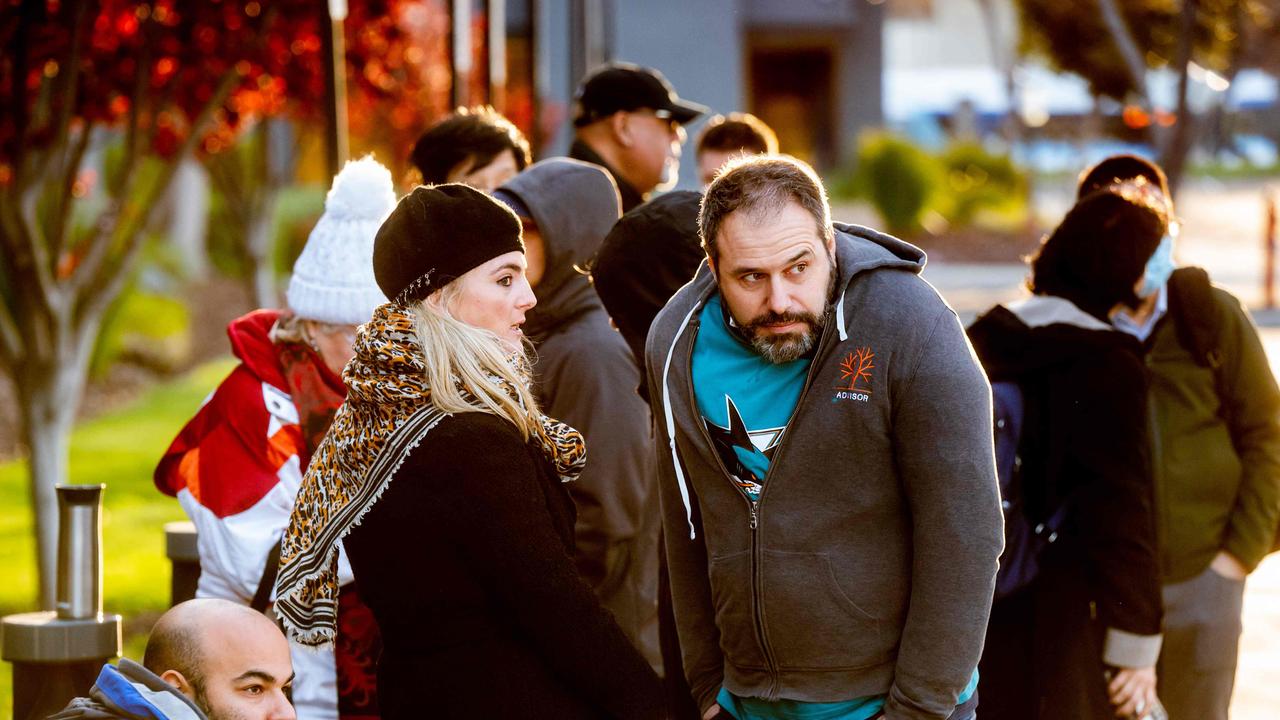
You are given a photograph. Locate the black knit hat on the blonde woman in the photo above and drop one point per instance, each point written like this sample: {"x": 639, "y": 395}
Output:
{"x": 436, "y": 235}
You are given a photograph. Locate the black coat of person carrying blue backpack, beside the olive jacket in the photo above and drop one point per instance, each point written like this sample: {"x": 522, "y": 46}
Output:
{"x": 1085, "y": 443}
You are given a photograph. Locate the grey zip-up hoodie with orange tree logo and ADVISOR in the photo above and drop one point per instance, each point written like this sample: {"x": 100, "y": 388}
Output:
{"x": 870, "y": 562}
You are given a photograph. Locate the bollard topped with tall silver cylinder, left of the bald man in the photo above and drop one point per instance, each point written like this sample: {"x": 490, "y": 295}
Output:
{"x": 57, "y": 655}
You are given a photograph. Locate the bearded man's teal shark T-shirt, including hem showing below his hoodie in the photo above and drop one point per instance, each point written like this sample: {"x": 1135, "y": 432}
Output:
{"x": 747, "y": 403}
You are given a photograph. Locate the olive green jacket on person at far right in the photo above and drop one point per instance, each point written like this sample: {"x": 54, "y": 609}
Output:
{"x": 1217, "y": 459}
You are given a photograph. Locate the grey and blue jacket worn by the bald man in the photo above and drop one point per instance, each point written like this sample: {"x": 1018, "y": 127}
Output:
{"x": 129, "y": 691}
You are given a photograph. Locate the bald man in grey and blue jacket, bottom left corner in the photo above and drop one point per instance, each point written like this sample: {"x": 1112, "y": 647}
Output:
{"x": 205, "y": 660}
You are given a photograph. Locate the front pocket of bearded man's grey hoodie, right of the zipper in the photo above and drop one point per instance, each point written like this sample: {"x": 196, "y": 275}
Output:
{"x": 811, "y": 619}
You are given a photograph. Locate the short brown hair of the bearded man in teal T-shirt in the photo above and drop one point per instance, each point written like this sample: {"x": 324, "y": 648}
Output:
{"x": 762, "y": 184}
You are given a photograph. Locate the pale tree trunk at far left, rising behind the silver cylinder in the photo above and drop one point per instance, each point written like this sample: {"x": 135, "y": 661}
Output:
{"x": 49, "y": 393}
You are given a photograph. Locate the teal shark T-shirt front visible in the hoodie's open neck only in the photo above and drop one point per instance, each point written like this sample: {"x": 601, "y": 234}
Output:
{"x": 746, "y": 402}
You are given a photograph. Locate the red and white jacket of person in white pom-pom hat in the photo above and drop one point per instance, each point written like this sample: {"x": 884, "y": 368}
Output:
{"x": 236, "y": 470}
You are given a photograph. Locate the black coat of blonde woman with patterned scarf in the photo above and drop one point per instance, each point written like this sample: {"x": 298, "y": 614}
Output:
{"x": 465, "y": 562}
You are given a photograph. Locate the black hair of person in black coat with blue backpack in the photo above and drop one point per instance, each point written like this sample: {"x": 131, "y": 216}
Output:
{"x": 1099, "y": 252}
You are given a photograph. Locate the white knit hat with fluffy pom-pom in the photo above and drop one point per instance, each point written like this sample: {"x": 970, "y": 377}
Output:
{"x": 333, "y": 281}
